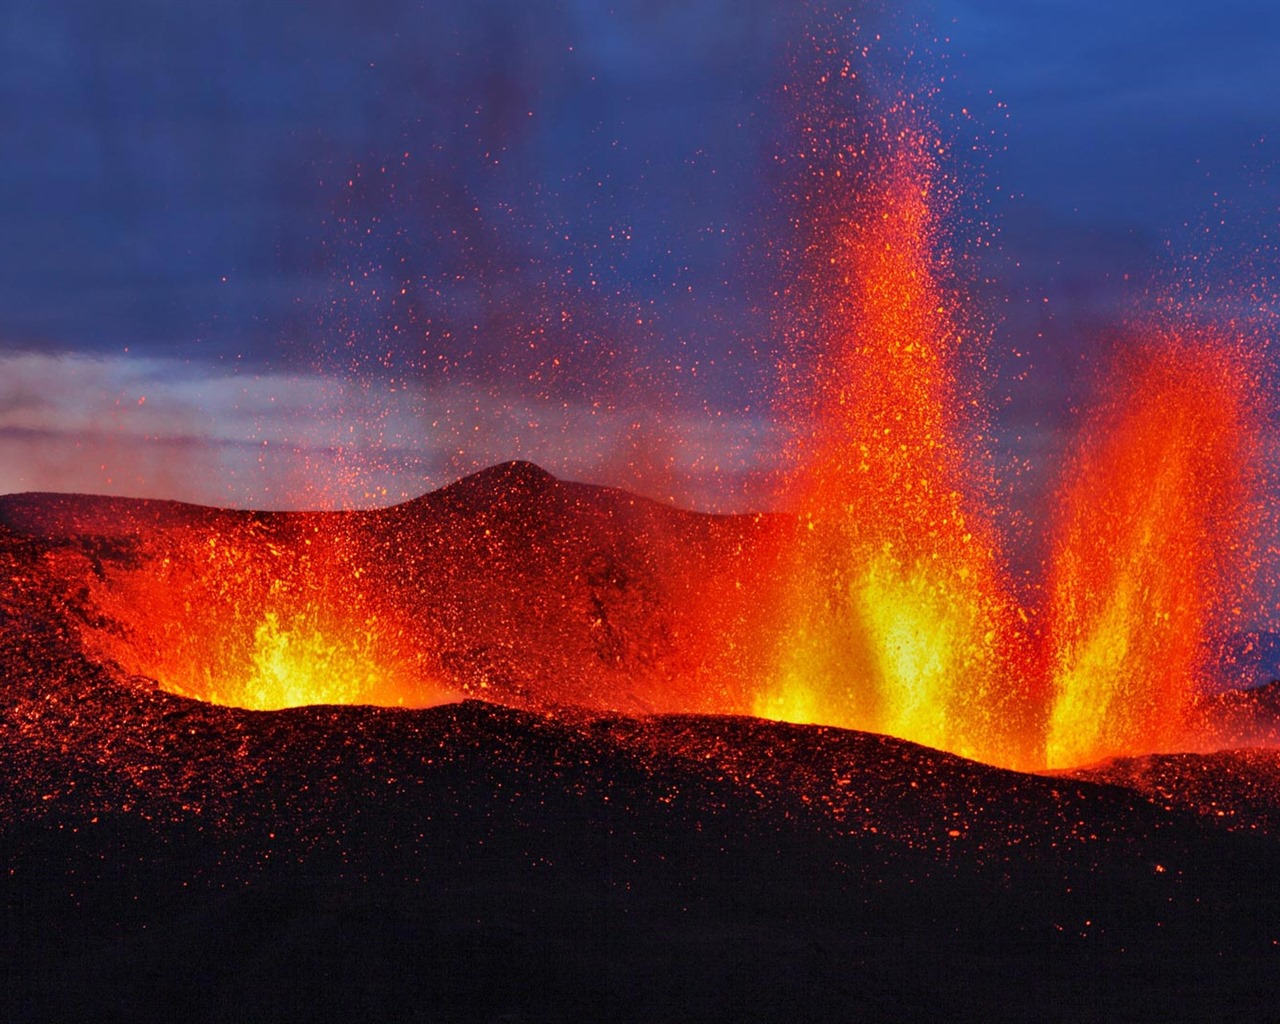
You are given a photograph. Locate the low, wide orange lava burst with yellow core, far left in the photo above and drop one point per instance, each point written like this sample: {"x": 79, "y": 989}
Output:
{"x": 248, "y": 619}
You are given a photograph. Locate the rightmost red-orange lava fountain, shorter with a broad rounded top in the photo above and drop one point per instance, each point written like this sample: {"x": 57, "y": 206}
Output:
{"x": 1150, "y": 550}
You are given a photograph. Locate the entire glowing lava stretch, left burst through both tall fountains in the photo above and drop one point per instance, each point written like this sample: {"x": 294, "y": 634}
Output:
{"x": 880, "y": 604}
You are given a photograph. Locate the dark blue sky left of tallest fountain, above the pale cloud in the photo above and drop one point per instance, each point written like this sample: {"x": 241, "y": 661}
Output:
{"x": 177, "y": 175}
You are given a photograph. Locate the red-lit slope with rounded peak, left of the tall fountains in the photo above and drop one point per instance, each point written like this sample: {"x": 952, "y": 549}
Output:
{"x": 509, "y": 586}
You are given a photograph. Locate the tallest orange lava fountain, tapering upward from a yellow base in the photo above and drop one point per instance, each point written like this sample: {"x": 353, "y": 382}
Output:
{"x": 895, "y": 618}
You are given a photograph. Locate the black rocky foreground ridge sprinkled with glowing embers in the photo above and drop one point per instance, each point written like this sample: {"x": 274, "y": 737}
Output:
{"x": 163, "y": 858}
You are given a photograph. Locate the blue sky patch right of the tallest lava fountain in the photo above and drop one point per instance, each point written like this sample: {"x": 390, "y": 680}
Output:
{"x": 1141, "y": 141}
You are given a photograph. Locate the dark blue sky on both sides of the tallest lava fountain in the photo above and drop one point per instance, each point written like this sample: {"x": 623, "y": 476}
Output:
{"x": 574, "y": 202}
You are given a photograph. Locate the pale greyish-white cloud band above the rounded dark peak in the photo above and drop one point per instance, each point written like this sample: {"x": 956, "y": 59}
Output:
{"x": 150, "y": 427}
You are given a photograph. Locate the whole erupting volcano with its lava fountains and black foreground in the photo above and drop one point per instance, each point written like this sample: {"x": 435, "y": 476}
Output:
{"x": 527, "y": 749}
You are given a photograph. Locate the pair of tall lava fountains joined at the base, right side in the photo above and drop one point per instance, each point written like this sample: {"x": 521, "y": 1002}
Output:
{"x": 890, "y": 606}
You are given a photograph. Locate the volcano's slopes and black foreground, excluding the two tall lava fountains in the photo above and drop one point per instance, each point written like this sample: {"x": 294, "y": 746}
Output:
{"x": 516, "y": 796}
